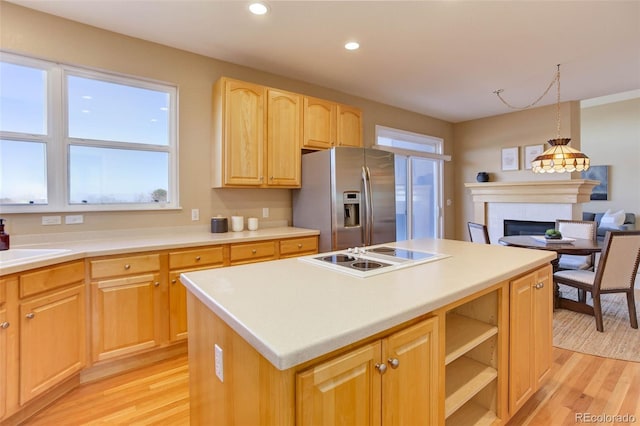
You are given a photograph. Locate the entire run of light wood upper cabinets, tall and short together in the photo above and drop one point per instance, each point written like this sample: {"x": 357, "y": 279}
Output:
{"x": 258, "y": 133}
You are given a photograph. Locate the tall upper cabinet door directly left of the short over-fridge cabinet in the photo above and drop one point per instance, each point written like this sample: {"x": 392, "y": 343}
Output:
{"x": 284, "y": 136}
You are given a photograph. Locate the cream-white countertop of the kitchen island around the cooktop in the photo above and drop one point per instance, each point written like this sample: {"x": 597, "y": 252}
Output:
{"x": 292, "y": 311}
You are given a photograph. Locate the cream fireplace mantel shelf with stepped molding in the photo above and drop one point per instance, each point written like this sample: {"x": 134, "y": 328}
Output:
{"x": 570, "y": 191}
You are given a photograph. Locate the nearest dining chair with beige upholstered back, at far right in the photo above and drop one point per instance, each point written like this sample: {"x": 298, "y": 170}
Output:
{"x": 615, "y": 273}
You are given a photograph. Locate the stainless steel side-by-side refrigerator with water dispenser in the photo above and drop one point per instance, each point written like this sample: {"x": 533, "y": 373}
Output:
{"x": 349, "y": 195}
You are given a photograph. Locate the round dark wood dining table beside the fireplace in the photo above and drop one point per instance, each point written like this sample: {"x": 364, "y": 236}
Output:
{"x": 579, "y": 247}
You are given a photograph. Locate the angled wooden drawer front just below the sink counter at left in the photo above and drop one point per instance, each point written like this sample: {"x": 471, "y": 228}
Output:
{"x": 51, "y": 278}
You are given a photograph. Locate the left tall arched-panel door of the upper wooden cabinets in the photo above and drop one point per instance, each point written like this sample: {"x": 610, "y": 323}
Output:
{"x": 244, "y": 122}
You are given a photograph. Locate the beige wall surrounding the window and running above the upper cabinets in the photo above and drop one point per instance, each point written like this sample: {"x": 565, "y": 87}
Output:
{"x": 33, "y": 33}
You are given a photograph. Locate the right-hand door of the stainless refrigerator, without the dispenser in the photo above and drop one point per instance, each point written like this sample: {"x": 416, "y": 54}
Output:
{"x": 381, "y": 167}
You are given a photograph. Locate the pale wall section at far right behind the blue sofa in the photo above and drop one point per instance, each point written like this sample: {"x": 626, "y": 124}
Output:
{"x": 611, "y": 136}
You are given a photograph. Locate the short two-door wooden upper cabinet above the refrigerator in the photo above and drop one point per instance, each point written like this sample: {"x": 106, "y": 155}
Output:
{"x": 328, "y": 124}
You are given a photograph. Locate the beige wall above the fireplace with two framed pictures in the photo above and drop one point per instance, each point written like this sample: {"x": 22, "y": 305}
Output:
{"x": 478, "y": 145}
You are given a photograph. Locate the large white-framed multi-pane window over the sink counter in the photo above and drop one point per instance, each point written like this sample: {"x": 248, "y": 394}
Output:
{"x": 75, "y": 139}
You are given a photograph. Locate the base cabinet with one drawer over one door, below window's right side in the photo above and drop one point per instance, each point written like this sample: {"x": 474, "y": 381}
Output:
{"x": 128, "y": 304}
